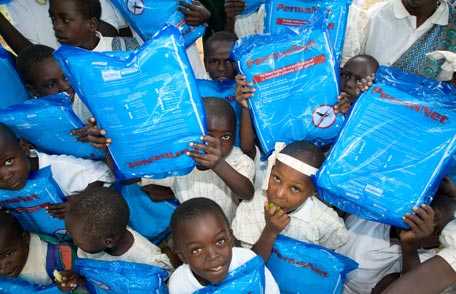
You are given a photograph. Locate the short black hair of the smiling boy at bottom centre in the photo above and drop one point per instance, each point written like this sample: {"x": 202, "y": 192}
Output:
{"x": 194, "y": 208}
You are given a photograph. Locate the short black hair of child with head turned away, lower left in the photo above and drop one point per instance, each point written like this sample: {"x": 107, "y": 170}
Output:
{"x": 102, "y": 210}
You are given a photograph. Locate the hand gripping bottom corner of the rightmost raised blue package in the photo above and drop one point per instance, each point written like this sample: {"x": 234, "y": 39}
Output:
{"x": 421, "y": 226}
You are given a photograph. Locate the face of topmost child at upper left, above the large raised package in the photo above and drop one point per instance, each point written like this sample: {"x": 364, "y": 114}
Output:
{"x": 70, "y": 25}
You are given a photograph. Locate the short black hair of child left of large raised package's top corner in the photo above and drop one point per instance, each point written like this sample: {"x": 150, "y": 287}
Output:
{"x": 30, "y": 56}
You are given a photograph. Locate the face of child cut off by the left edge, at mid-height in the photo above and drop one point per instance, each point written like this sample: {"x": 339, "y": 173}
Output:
{"x": 14, "y": 165}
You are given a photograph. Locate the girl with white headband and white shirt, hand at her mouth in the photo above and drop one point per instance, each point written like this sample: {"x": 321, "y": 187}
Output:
{"x": 290, "y": 205}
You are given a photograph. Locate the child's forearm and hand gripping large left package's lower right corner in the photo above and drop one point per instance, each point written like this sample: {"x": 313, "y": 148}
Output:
{"x": 212, "y": 159}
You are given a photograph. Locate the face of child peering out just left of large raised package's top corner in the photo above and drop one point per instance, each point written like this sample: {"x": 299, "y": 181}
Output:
{"x": 48, "y": 79}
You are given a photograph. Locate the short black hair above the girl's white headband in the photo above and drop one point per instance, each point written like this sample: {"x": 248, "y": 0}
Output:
{"x": 306, "y": 152}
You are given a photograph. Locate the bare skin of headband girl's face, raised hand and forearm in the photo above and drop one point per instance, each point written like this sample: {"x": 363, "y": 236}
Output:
{"x": 287, "y": 190}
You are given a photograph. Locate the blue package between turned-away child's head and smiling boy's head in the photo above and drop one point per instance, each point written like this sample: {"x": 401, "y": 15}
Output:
{"x": 149, "y": 218}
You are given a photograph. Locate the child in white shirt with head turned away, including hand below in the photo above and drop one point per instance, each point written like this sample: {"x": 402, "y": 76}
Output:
{"x": 97, "y": 221}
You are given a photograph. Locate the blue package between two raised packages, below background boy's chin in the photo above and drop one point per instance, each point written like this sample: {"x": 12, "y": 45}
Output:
{"x": 227, "y": 91}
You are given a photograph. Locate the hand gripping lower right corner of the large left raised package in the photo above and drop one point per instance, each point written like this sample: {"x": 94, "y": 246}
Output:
{"x": 212, "y": 152}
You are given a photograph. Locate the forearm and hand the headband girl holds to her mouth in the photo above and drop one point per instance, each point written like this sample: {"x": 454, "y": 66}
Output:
{"x": 276, "y": 221}
